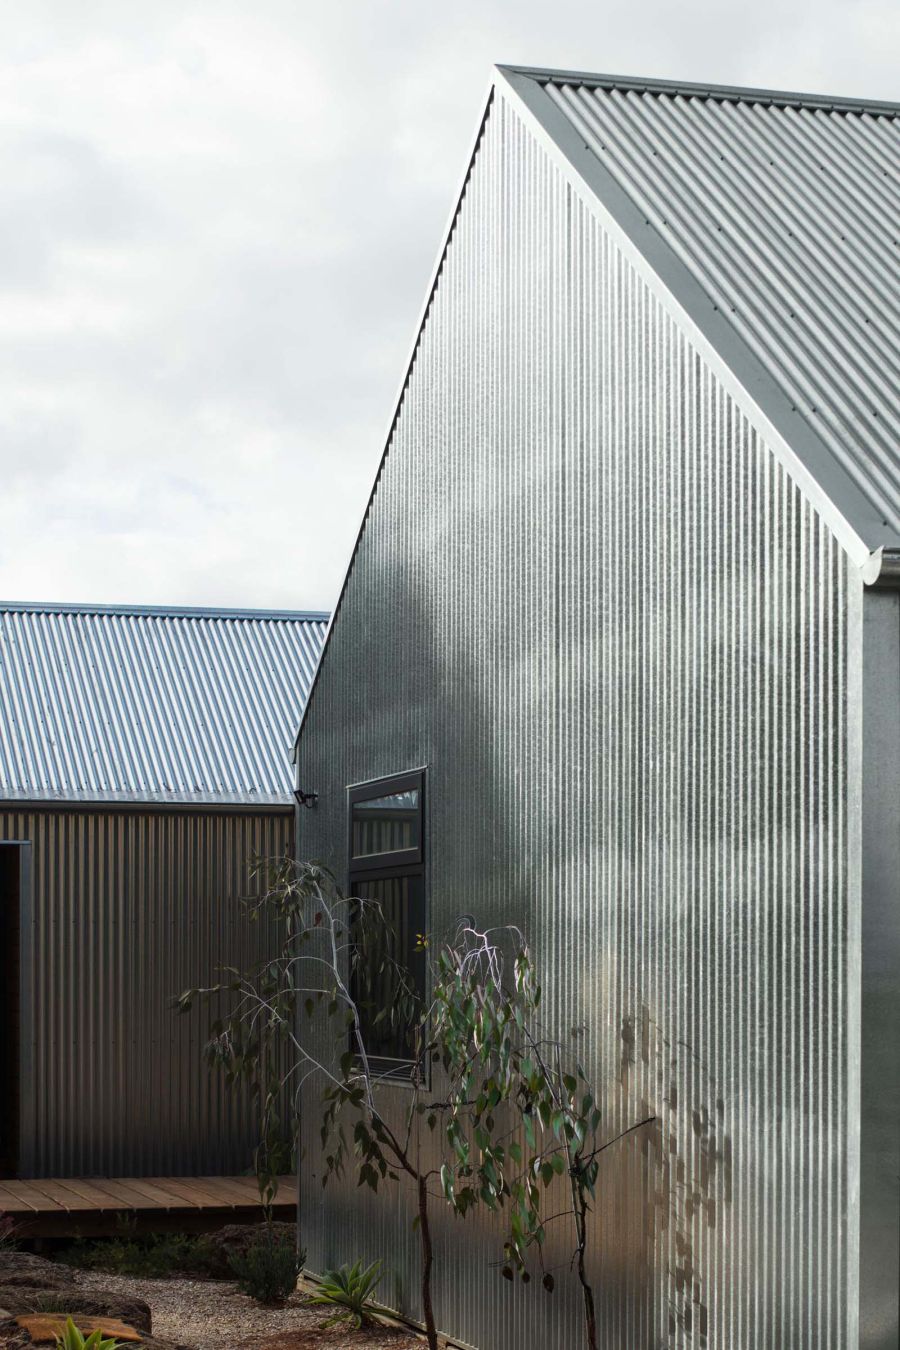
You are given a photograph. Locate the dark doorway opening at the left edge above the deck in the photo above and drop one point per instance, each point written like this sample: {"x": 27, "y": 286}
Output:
{"x": 11, "y": 888}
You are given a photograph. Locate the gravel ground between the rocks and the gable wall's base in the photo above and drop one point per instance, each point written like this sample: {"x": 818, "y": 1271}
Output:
{"x": 211, "y": 1314}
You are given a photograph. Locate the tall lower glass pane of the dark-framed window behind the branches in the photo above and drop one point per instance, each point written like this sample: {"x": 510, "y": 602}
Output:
{"x": 389, "y": 973}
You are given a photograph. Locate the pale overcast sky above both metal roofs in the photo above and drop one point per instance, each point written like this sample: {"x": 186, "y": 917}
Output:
{"x": 217, "y": 232}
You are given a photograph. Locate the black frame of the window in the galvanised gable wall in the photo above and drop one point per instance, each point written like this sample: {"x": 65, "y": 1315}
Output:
{"x": 396, "y": 865}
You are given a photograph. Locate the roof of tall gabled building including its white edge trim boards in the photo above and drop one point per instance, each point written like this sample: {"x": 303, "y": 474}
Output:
{"x": 768, "y": 223}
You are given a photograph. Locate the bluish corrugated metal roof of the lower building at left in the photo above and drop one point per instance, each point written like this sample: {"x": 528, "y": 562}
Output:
{"x": 109, "y": 704}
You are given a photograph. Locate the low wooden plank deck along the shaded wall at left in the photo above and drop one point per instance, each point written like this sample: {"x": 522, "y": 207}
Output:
{"x": 92, "y": 1206}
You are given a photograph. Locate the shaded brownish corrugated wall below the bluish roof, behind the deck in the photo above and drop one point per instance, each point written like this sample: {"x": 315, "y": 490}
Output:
{"x": 129, "y": 909}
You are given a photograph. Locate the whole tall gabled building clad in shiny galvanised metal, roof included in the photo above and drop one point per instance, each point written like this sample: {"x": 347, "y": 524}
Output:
{"x": 624, "y": 608}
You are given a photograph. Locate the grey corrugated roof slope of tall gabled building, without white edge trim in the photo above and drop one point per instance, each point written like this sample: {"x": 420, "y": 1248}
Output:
{"x": 786, "y": 209}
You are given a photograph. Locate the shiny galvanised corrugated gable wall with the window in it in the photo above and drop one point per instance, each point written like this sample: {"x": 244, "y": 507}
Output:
{"x": 594, "y": 605}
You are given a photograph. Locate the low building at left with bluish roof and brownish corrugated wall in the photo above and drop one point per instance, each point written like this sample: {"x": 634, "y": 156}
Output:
{"x": 145, "y": 759}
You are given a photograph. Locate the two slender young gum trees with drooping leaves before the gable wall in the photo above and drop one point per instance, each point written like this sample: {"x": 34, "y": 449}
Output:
{"x": 499, "y": 1116}
